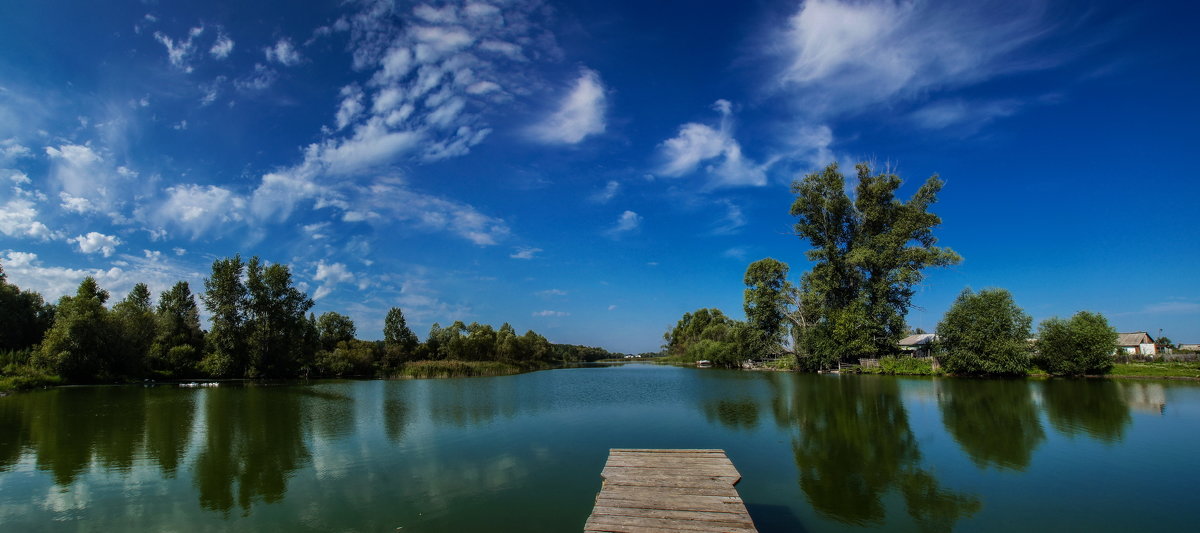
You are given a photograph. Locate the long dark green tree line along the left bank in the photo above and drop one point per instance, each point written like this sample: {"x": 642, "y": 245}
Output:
{"x": 261, "y": 327}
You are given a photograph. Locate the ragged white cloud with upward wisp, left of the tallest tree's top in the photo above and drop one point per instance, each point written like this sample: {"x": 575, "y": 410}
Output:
{"x": 699, "y": 143}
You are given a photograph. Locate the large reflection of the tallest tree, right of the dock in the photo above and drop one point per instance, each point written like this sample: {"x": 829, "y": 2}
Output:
{"x": 854, "y": 445}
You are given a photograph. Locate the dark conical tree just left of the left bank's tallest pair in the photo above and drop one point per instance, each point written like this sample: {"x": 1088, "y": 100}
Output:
{"x": 179, "y": 344}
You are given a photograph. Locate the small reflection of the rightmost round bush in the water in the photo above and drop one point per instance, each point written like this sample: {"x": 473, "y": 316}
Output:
{"x": 1095, "y": 408}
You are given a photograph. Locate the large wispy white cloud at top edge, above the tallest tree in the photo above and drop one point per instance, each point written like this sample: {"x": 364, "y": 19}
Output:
{"x": 847, "y": 56}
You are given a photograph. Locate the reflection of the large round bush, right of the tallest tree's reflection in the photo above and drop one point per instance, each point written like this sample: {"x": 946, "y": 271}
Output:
{"x": 994, "y": 421}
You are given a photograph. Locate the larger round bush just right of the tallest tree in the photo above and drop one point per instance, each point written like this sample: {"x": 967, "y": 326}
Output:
{"x": 985, "y": 333}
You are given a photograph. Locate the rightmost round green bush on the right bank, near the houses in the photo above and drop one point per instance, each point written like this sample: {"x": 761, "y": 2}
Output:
{"x": 1081, "y": 346}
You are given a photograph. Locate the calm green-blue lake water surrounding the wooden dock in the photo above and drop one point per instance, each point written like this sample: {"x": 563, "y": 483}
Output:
{"x": 524, "y": 453}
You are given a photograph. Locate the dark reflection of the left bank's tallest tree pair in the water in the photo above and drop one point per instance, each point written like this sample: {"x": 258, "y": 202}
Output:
{"x": 253, "y": 440}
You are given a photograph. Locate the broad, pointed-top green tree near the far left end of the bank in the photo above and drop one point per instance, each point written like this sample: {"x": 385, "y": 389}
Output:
{"x": 79, "y": 346}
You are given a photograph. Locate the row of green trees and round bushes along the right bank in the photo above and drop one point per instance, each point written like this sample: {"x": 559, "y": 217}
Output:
{"x": 869, "y": 251}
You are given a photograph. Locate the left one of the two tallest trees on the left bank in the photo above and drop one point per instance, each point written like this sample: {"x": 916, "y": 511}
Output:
{"x": 225, "y": 297}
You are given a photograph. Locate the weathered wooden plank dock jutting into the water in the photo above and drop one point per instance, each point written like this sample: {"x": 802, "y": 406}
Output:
{"x": 669, "y": 492}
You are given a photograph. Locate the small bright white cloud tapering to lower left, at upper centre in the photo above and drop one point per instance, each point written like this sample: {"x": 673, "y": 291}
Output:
{"x": 579, "y": 116}
